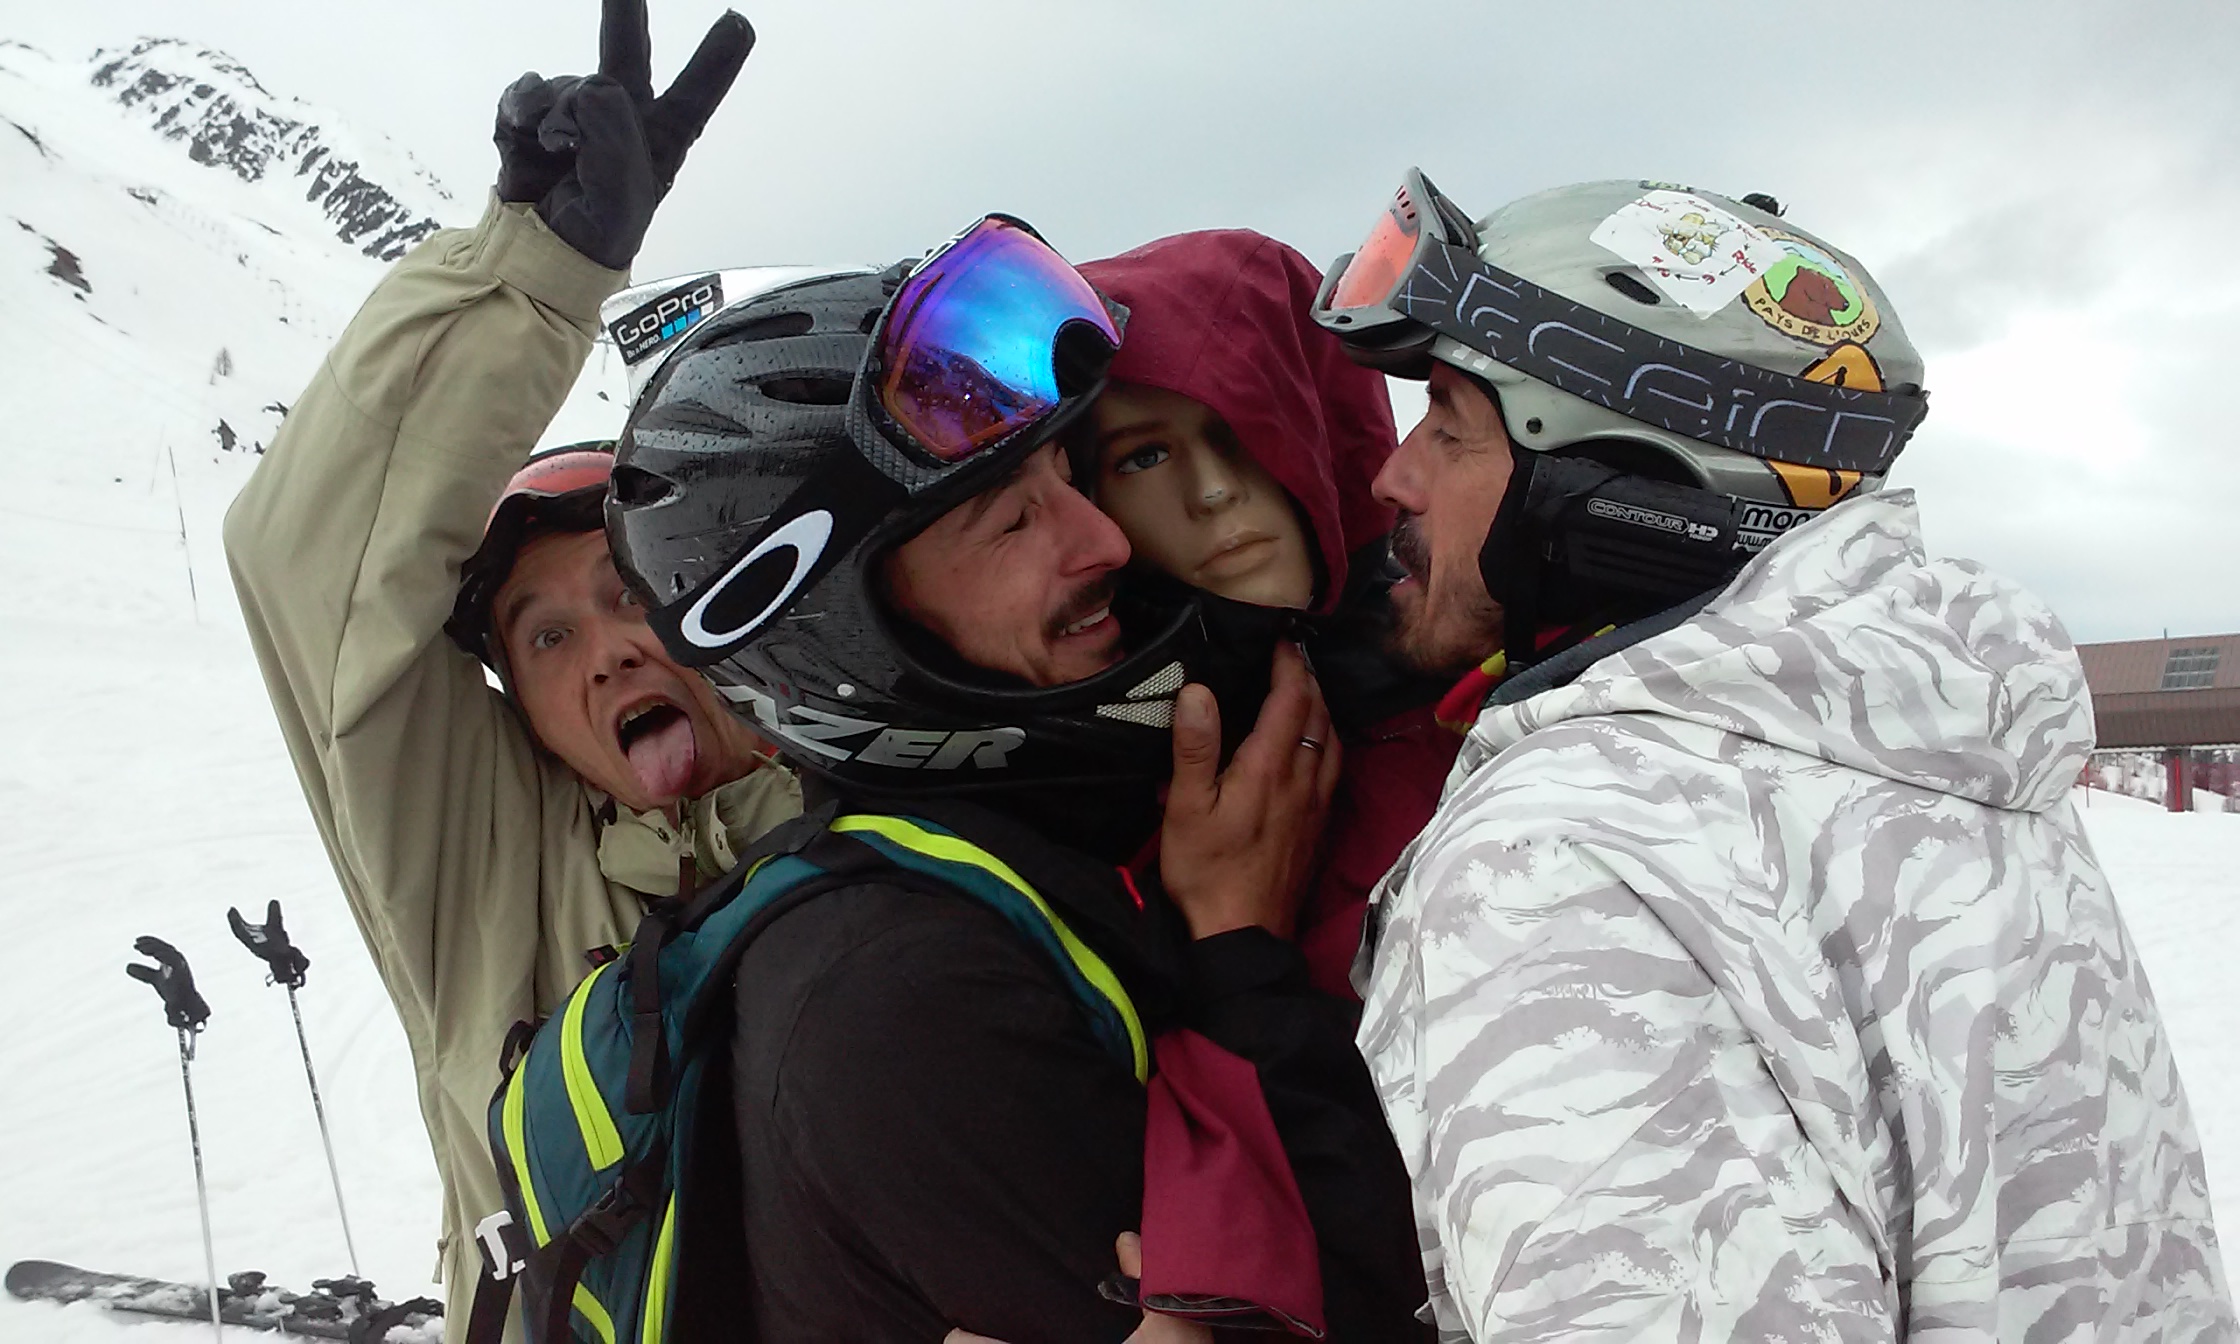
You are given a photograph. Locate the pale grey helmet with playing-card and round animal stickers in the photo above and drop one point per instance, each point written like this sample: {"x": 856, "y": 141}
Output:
{"x": 1704, "y": 272}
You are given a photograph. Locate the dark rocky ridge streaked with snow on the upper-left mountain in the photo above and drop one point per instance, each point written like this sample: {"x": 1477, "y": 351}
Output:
{"x": 375, "y": 198}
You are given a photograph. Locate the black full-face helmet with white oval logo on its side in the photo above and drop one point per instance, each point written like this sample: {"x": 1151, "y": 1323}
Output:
{"x": 749, "y": 411}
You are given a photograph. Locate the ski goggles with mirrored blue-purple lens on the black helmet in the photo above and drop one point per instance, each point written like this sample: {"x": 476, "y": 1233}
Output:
{"x": 989, "y": 337}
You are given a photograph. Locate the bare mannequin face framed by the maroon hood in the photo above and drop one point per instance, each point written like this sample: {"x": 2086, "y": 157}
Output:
{"x": 1193, "y": 503}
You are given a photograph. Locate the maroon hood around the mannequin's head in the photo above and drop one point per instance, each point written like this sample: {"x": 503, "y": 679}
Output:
{"x": 1222, "y": 317}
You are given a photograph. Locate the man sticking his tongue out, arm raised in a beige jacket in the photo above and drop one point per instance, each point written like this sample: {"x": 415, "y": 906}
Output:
{"x": 489, "y": 841}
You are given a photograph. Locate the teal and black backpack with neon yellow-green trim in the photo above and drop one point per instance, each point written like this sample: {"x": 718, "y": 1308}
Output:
{"x": 606, "y": 1105}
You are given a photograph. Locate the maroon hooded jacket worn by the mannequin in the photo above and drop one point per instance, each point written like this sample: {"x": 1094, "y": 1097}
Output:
{"x": 1224, "y": 317}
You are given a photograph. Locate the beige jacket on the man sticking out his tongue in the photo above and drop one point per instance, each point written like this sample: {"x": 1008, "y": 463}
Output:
{"x": 478, "y": 866}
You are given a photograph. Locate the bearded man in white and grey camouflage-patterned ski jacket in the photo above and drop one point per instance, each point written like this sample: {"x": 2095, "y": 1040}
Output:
{"x": 1755, "y": 978}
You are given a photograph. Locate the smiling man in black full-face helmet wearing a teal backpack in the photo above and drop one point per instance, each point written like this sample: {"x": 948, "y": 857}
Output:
{"x": 846, "y": 505}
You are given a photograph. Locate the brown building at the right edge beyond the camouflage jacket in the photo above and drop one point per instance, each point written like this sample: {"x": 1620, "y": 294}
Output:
{"x": 2176, "y": 700}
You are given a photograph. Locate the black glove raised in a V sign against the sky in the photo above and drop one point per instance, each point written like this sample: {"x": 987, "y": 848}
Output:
{"x": 597, "y": 153}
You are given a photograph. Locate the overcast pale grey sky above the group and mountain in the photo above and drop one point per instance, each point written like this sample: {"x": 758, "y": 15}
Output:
{"x": 2051, "y": 194}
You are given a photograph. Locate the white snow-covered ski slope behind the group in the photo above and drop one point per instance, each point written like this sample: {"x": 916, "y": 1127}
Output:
{"x": 147, "y": 790}
